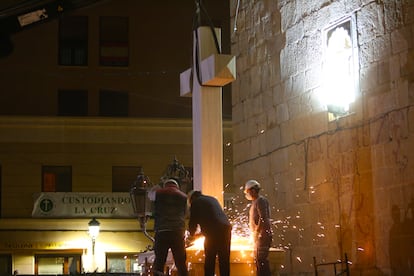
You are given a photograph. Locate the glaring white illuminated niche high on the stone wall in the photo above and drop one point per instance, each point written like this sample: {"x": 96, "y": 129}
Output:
{"x": 339, "y": 68}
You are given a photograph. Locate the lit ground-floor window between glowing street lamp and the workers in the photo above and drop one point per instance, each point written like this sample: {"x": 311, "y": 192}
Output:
{"x": 122, "y": 263}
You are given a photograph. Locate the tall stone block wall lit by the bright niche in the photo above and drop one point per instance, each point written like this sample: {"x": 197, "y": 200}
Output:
{"x": 337, "y": 184}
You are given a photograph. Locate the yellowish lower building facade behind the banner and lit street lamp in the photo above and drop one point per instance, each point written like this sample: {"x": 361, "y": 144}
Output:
{"x": 33, "y": 239}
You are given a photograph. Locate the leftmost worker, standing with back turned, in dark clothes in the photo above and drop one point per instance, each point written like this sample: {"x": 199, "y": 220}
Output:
{"x": 170, "y": 208}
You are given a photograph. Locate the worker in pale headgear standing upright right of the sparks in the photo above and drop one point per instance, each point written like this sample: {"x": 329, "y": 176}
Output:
{"x": 260, "y": 227}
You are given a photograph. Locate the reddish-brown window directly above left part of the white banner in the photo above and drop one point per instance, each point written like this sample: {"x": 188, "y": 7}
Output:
{"x": 56, "y": 179}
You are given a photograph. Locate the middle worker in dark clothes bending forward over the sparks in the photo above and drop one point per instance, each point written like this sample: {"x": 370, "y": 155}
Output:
{"x": 206, "y": 212}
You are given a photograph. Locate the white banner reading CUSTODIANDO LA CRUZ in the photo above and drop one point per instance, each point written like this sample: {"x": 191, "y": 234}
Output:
{"x": 78, "y": 205}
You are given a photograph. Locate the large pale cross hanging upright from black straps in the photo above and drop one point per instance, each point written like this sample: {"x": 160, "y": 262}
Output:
{"x": 215, "y": 70}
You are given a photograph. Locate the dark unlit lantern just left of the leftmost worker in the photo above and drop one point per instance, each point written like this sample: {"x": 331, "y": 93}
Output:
{"x": 140, "y": 201}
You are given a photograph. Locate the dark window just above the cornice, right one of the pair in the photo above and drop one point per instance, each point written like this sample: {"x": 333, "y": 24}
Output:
{"x": 113, "y": 104}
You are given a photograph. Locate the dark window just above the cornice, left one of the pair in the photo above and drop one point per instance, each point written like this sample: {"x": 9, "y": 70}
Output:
{"x": 72, "y": 103}
